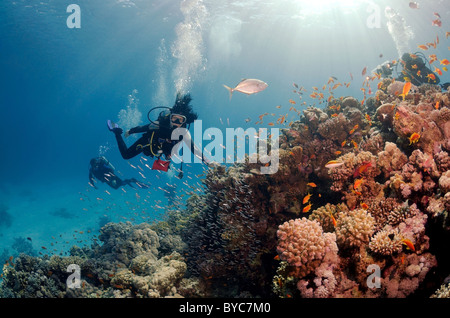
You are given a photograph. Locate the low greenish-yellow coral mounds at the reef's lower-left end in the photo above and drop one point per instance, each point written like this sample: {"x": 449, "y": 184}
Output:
{"x": 126, "y": 264}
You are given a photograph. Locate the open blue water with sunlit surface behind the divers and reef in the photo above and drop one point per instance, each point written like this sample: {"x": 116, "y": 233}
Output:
{"x": 59, "y": 85}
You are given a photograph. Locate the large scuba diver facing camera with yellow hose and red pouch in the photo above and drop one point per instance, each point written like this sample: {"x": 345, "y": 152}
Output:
{"x": 156, "y": 139}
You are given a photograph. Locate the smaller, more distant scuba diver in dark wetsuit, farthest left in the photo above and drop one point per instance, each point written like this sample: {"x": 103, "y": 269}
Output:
{"x": 103, "y": 170}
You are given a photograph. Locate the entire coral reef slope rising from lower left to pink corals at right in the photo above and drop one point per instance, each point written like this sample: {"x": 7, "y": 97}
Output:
{"x": 362, "y": 192}
